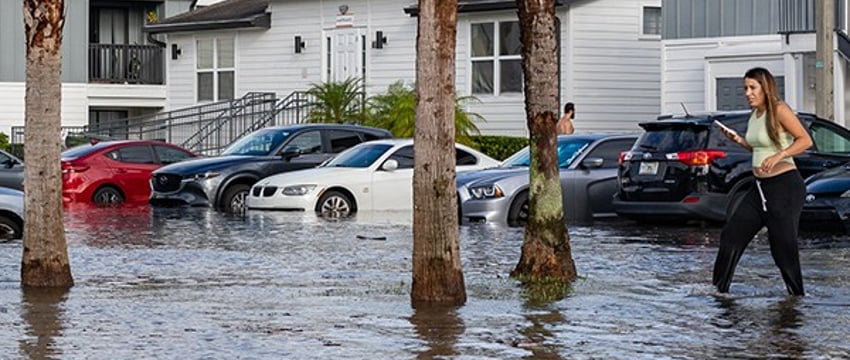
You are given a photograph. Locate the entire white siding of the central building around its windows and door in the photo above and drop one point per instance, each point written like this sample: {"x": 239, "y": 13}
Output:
{"x": 610, "y": 72}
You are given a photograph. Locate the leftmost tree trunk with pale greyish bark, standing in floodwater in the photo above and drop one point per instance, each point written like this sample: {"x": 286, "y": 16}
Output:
{"x": 45, "y": 256}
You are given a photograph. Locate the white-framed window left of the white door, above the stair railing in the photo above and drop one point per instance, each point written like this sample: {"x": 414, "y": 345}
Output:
{"x": 215, "y": 68}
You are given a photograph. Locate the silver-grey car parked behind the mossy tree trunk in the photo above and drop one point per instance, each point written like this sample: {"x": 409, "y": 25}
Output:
{"x": 588, "y": 165}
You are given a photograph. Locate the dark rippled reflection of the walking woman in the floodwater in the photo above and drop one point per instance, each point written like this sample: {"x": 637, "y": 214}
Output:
{"x": 779, "y": 321}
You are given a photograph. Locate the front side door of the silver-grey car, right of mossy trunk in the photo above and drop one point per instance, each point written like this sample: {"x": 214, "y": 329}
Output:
{"x": 589, "y": 183}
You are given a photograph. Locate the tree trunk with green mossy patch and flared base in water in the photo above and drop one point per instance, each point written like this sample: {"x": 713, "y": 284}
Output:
{"x": 546, "y": 250}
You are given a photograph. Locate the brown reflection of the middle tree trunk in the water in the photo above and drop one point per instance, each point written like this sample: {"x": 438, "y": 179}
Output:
{"x": 439, "y": 327}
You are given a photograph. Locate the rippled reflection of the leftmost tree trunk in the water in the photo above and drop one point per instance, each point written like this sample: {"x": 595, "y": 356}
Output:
{"x": 42, "y": 311}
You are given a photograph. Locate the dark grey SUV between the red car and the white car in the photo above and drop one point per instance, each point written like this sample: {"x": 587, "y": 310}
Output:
{"x": 223, "y": 181}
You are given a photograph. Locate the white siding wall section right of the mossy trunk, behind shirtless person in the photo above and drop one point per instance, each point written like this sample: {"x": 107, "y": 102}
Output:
{"x": 612, "y": 72}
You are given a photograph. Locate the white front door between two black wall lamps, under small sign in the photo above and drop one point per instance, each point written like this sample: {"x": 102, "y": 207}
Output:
{"x": 346, "y": 54}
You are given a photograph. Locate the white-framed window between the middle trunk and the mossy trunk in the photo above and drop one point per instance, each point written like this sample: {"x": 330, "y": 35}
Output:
{"x": 495, "y": 54}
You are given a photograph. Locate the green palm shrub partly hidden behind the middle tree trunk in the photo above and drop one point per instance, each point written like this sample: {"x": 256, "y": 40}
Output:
{"x": 395, "y": 111}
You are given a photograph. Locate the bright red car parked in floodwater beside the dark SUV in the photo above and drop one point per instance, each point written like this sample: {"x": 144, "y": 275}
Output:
{"x": 111, "y": 172}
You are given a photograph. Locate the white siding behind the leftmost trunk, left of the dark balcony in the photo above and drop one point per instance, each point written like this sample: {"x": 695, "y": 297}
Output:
{"x": 74, "y": 105}
